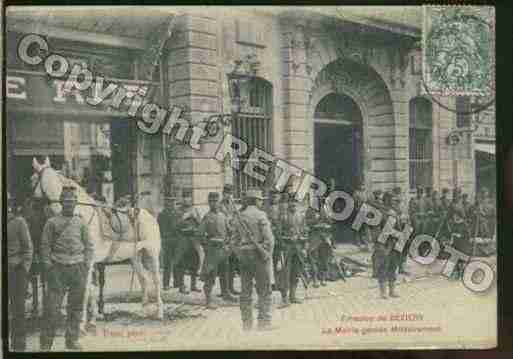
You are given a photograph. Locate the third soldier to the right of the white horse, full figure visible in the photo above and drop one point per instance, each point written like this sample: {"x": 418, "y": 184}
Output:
{"x": 216, "y": 227}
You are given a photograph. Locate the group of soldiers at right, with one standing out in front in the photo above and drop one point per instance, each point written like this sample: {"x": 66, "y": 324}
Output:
{"x": 450, "y": 219}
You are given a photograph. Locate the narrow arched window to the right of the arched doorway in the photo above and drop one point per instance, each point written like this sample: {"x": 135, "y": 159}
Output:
{"x": 421, "y": 146}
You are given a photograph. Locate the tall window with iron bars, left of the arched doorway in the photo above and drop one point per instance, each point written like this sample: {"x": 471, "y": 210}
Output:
{"x": 253, "y": 126}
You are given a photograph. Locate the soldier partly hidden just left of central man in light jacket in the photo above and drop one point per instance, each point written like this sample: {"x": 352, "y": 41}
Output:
{"x": 232, "y": 265}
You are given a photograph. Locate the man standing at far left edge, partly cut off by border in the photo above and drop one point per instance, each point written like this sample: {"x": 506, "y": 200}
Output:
{"x": 20, "y": 251}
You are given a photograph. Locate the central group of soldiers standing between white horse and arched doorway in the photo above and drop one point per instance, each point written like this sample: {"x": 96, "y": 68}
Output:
{"x": 275, "y": 245}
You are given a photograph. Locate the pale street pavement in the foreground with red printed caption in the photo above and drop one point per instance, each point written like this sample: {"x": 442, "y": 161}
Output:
{"x": 432, "y": 311}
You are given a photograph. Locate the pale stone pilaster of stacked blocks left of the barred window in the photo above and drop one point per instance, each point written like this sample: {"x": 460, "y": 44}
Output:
{"x": 193, "y": 85}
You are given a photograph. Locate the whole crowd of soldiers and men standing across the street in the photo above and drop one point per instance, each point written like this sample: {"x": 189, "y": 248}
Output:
{"x": 270, "y": 243}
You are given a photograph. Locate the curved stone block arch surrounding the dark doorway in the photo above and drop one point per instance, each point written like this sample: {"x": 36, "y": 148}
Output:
{"x": 368, "y": 90}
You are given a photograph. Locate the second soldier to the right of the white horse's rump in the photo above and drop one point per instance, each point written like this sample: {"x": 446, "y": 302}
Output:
{"x": 193, "y": 254}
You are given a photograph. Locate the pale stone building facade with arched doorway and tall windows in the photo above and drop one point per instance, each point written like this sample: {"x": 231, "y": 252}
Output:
{"x": 315, "y": 78}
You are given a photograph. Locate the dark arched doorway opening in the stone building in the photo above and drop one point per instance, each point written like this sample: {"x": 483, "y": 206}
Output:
{"x": 338, "y": 141}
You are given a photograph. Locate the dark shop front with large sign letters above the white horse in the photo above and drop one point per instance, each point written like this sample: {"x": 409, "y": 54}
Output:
{"x": 95, "y": 145}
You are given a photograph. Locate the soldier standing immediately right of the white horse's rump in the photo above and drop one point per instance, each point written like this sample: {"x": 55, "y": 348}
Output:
{"x": 168, "y": 221}
